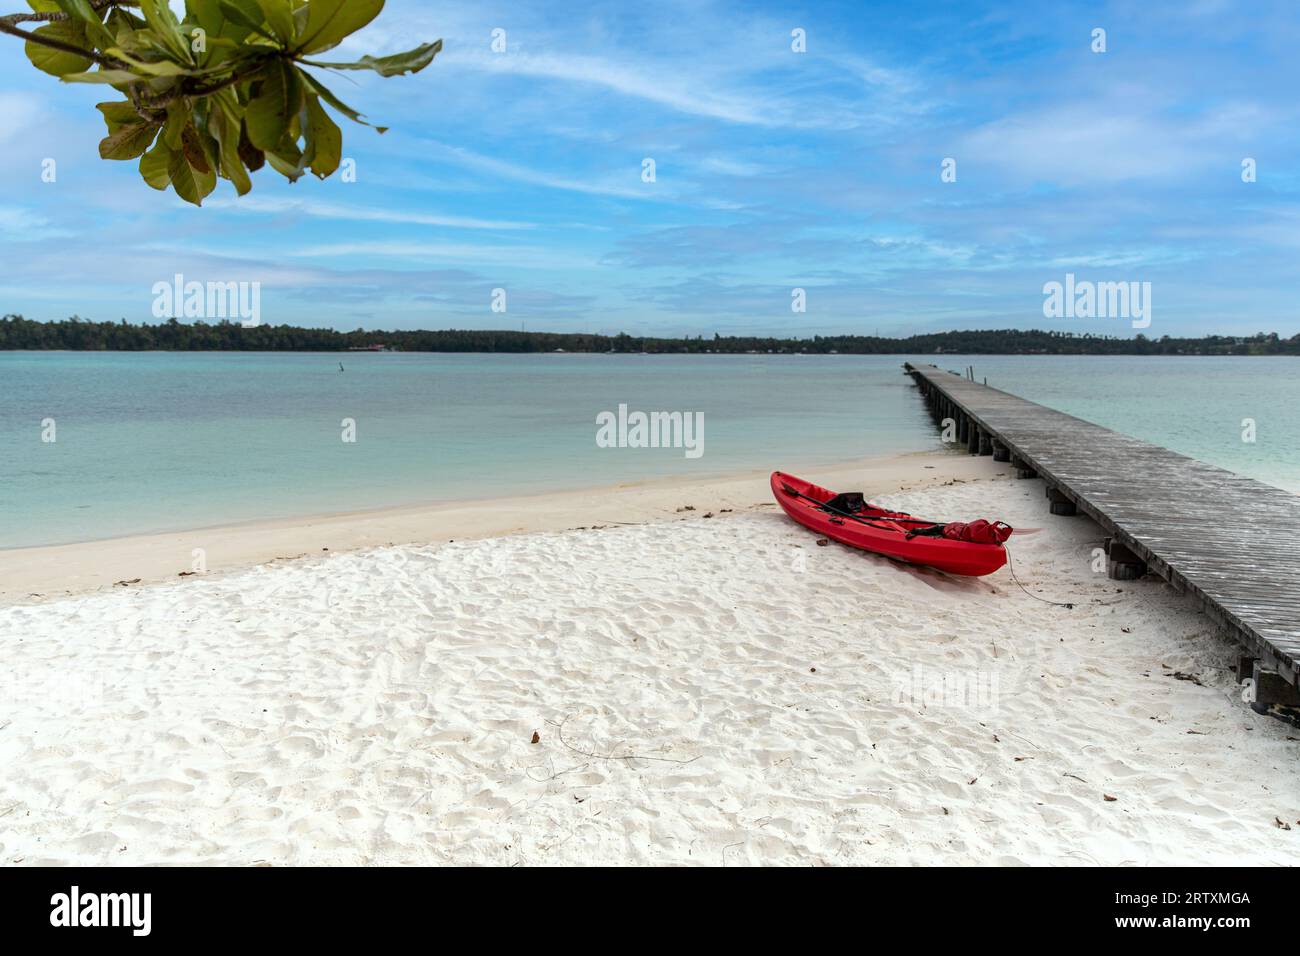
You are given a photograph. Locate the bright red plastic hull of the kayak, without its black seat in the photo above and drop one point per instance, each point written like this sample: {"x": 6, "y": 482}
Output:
{"x": 887, "y": 533}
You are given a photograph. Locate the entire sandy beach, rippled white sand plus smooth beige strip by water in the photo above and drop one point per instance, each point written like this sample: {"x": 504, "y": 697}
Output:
{"x": 682, "y": 689}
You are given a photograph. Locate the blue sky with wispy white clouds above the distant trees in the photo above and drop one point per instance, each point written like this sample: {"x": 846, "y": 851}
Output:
{"x": 775, "y": 171}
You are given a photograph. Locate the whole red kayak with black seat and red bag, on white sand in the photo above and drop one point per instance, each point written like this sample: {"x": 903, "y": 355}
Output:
{"x": 851, "y": 521}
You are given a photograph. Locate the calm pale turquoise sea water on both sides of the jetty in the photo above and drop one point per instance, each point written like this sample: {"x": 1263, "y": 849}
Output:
{"x": 162, "y": 442}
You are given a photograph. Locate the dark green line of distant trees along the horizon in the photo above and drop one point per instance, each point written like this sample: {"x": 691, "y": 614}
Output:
{"x": 79, "y": 335}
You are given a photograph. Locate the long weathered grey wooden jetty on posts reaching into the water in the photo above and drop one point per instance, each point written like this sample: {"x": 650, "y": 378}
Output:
{"x": 1230, "y": 543}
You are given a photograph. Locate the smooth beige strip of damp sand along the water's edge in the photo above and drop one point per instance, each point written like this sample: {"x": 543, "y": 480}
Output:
{"x": 50, "y": 573}
